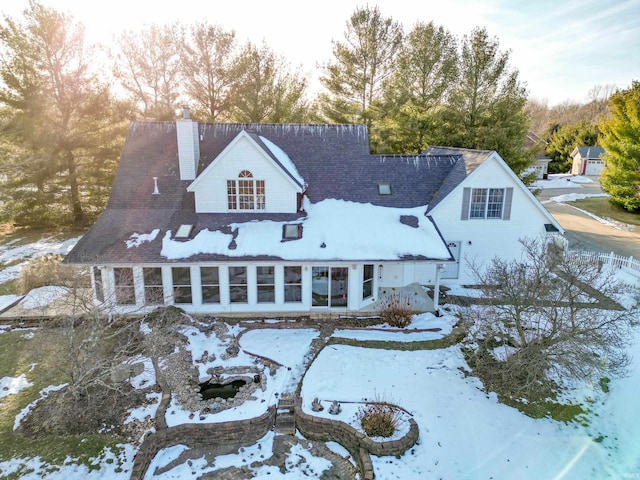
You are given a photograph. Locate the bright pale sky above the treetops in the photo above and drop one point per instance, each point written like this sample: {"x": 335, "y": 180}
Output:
{"x": 561, "y": 49}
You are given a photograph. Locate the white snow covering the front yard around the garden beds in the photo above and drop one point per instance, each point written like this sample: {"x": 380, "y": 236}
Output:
{"x": 464, "y": 432}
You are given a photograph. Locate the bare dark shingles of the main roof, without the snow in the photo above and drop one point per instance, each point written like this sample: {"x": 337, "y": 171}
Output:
{"x": 334, "y": 161}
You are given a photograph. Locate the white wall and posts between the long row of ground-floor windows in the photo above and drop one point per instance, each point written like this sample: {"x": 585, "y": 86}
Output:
{"x": 355, "y": 289}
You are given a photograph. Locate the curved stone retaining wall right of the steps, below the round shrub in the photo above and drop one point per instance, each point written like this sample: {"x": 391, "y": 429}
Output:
{"x": 357, "y": 443}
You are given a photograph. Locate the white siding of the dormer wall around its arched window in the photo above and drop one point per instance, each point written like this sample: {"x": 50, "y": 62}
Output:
{"x": 211, "y": 190}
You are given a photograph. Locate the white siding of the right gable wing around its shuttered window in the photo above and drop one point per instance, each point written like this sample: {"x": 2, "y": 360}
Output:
{"x": 483, "y": 239}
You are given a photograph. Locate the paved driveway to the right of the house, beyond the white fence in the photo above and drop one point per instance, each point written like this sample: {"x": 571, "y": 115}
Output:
{"x": 586, "y": 233}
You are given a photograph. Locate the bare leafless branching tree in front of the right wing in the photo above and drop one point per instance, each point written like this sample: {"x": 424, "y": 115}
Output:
{"x": 549, "y": 317}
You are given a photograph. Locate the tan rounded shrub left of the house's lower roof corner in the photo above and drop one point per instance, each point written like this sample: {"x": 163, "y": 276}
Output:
{"x": 45, "y": 270}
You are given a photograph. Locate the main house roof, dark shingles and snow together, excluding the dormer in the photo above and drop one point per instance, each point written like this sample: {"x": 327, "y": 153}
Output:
{"x": 333, "y": 162}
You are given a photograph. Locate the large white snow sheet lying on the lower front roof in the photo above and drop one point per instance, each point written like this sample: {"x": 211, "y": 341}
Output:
{"x": 332, "y": 230}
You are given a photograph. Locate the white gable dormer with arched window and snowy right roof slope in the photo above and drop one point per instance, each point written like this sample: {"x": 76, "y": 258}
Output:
{"x": 251, "y": 175}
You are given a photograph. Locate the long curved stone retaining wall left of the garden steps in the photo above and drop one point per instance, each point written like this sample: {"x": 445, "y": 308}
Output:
{"x": 229, "y": 434}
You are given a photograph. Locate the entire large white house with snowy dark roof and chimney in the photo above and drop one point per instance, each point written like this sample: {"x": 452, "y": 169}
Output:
{"x": 265, "y": 218}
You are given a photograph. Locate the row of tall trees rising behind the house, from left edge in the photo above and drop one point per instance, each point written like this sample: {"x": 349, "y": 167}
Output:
{"x": 65, "y": 105}
